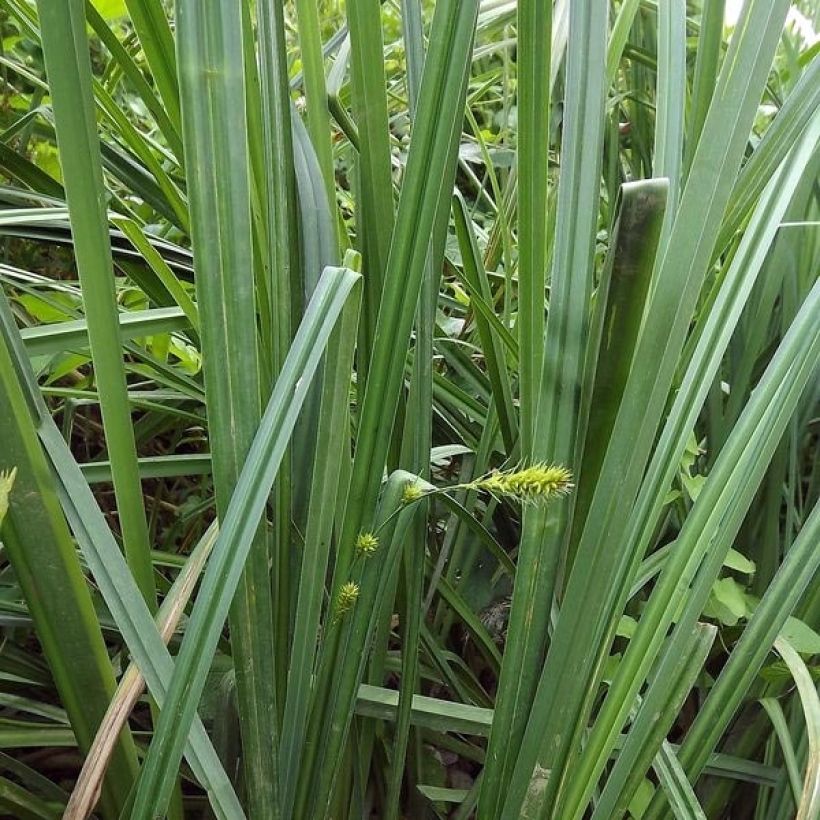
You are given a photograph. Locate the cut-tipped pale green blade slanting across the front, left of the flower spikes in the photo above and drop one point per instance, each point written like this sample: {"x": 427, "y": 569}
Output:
{"x": 238, "y": 525}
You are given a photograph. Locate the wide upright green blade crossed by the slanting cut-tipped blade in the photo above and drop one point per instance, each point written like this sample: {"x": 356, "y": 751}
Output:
{"x": 210, "y": 46}
